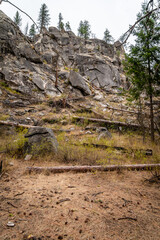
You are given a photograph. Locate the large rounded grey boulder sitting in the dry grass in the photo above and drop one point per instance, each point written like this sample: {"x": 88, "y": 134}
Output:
{"x": 40, "y": 140}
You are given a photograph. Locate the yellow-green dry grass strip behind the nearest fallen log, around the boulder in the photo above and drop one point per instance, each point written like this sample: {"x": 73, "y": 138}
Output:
{"x": 71, "y": 149}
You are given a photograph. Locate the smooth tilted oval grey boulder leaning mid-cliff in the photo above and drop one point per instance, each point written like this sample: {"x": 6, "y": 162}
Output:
{"x": 77, "y": 81}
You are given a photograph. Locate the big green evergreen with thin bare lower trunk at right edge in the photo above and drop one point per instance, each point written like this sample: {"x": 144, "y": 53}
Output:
{"x": 143, "y": 61}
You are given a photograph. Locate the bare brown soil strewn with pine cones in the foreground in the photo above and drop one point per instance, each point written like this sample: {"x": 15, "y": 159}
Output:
{"x": 102, "y": 206}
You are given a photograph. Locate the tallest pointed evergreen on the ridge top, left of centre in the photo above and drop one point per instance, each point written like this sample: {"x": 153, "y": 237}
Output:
{"x": 44, "y": 17}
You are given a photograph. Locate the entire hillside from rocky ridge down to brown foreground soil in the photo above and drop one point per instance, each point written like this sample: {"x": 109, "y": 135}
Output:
{"x": 68, "y": 91}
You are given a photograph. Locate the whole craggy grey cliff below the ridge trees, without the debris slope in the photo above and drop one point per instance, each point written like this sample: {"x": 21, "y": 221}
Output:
{"x": 56, "y": 62}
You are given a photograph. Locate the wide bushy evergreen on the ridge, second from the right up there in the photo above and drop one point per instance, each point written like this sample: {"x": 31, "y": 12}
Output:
{"x": 84, "y": 30}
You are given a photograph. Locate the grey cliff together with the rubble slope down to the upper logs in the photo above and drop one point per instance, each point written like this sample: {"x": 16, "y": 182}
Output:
{"x": 59, "y": 65}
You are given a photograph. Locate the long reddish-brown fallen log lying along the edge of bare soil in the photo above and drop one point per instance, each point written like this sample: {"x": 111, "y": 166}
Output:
{"x": 83, "y": 169}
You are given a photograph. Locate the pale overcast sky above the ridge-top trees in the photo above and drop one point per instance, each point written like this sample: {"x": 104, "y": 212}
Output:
{"x": 116, "y": 15}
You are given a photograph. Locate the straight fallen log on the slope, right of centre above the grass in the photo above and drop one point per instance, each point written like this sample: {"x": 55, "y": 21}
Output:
{"x": 108, "y": 122}
